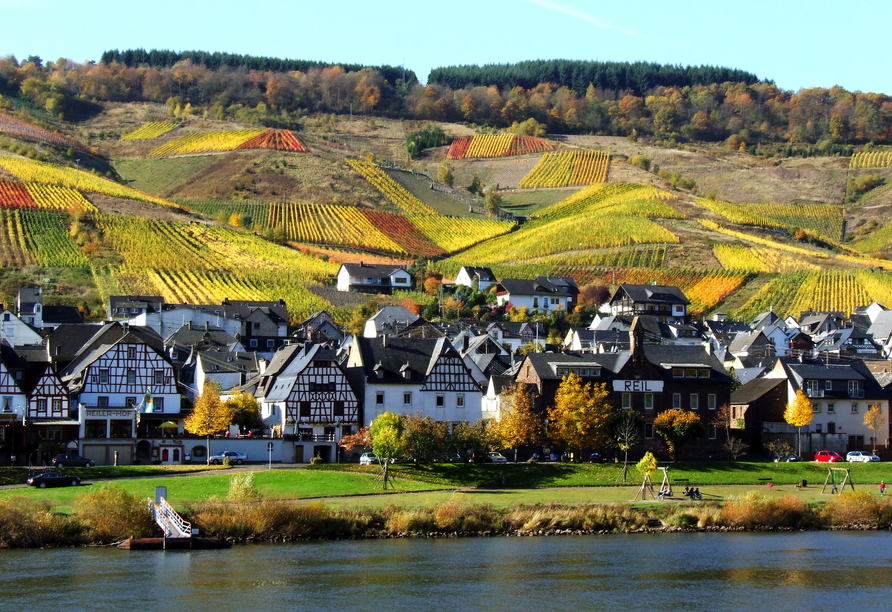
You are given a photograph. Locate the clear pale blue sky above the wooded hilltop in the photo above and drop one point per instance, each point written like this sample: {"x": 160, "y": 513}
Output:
{"x": 796, "y": 43}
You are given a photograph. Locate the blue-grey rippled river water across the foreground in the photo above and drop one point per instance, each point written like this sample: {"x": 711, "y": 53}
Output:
{"x": 812, "y": 571}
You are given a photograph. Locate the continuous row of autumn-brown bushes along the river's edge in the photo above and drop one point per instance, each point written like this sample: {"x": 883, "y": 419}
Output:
{"x": 110, "y": 515}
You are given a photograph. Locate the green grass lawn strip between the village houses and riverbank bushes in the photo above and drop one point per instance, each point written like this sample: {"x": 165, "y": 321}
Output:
{"x": 352, "y": 485}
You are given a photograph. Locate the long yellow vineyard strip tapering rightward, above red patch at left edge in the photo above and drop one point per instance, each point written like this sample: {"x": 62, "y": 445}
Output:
{"x": 29, "y": 171}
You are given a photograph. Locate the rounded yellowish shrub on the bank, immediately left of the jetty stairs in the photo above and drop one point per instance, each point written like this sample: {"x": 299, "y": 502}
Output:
{"x": 111, "y": 513}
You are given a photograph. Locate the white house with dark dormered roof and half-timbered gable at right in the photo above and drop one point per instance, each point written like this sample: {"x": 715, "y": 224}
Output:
{"x": 418, "y": 376}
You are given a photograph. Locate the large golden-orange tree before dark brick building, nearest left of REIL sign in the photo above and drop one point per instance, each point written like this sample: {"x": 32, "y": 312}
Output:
{"x": 582, "y": 414}
